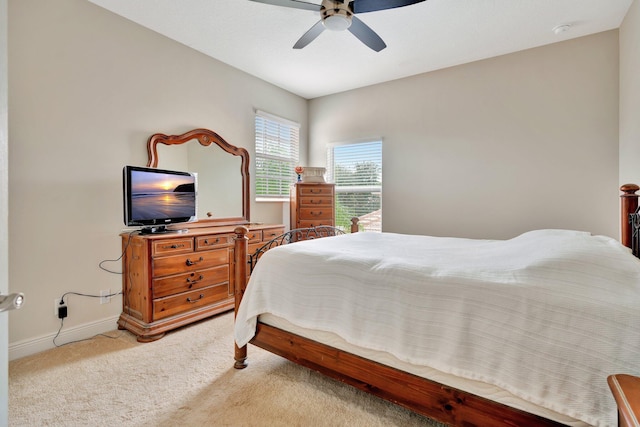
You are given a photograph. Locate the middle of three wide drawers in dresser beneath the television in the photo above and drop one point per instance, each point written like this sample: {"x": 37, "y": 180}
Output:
{"x": 190, "y": 281}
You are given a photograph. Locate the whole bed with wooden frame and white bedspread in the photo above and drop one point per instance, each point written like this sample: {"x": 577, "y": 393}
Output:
{"x": 520, "y": 332}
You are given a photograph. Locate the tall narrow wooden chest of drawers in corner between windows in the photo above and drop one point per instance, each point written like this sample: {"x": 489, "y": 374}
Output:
{"x": 312, "y": 204}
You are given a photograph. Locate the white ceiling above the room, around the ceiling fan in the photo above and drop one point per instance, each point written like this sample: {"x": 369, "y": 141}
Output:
{"x": 258, "y": 38}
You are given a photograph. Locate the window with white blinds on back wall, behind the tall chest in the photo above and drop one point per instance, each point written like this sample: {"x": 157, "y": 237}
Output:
{"x": 356, "y": 169}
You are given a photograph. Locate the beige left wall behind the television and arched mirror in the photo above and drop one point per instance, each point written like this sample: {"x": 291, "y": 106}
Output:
{"x": 86, "y": 90}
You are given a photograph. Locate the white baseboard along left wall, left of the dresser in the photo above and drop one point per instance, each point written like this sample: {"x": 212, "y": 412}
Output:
{"x": 45, "y": 342}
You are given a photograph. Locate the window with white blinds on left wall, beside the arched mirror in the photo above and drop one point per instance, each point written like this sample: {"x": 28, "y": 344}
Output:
{"x": 277, "y": 141}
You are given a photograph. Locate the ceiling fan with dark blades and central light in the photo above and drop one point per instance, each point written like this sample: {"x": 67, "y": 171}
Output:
{"x": 339, "y": 15}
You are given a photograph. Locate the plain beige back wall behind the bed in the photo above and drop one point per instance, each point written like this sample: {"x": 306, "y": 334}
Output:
{"x": 492, "y": 148}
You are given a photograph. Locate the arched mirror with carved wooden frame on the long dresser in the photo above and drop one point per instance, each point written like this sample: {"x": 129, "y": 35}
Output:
{"x": 223, "y": 172}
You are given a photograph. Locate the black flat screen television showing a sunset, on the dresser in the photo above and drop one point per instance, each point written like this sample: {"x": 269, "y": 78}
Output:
{"x": 155, "y": 198}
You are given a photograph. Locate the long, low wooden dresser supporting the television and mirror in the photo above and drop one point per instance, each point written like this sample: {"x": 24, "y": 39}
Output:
{"x": 173, "y": 279}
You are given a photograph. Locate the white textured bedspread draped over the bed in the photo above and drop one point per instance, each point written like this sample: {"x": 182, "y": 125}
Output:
{"x": 547, "y": 315}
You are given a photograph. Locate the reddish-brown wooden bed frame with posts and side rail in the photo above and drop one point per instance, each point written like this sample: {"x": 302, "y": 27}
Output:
{"x": 436, "y": 401}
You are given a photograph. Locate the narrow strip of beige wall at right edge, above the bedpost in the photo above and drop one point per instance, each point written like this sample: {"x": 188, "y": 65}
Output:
{"x": 630, "y": 96}
